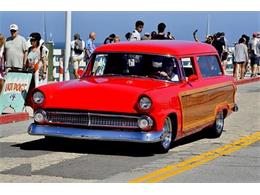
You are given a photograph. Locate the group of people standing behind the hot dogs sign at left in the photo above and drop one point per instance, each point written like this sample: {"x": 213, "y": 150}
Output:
{"x": 17, "y": 54}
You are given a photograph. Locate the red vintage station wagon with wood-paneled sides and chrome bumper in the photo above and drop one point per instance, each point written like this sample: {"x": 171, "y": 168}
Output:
{"x": 143, "y": 91}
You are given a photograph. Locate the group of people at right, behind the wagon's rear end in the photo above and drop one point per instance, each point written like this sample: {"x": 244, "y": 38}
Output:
{"x": 246, "y": 52}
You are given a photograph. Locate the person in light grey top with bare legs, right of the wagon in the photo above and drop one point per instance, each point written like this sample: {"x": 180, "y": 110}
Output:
{"x": 240, "y": 58}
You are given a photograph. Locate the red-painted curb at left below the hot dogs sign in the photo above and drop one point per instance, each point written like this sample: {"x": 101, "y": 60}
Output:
{"x": 14, "y": 117}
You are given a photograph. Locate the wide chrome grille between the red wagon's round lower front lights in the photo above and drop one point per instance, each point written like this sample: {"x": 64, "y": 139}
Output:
{"x": 93, "y": 119}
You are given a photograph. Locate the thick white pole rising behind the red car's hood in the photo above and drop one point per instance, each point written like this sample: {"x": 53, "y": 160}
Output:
{"x": 67, "y": 45}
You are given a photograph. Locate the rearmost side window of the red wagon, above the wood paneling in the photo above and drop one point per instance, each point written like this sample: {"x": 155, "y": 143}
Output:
{"x": 209, "y": 66}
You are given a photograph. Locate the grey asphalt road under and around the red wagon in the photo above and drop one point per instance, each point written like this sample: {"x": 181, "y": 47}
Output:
{"x": 27, "y": 158}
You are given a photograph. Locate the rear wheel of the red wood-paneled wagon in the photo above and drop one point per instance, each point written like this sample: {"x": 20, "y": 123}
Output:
{"x": 217, "y": 129}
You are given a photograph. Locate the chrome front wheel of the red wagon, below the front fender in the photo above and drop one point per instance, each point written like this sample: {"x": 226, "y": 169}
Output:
{"x": 165, "y": 144}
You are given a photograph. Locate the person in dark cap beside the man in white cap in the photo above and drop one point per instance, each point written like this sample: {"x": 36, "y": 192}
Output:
{"x": 37, "y": 59}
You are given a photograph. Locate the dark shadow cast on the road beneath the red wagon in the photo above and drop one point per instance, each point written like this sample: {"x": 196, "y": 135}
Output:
{"x": 103, "y": 147}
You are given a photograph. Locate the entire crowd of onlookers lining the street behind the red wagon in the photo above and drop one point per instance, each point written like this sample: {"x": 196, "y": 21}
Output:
{"x": 18, "y": 54}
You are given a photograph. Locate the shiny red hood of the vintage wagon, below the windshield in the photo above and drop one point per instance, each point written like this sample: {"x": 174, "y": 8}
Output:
{"x": 108, "y": 94}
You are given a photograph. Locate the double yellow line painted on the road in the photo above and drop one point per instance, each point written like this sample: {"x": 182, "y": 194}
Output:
{"x": 174, "y": 169}
